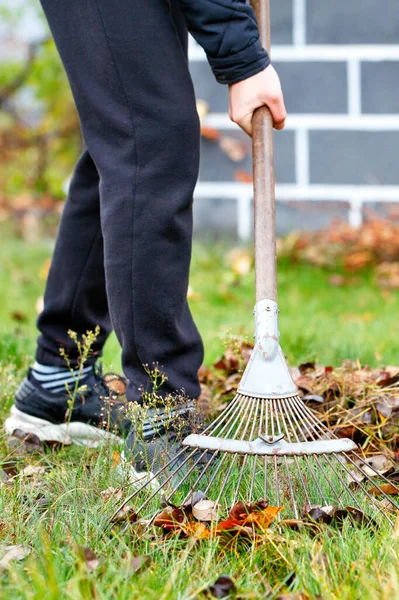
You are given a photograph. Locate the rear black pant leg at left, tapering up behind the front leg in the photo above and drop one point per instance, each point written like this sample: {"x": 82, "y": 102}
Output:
{"x": 75, "y": 296}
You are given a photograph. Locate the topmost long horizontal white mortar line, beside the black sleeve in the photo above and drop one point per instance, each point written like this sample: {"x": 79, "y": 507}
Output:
{"x": 320, "y": 52}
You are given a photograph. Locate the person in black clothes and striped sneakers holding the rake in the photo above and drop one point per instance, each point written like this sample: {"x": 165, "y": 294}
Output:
{"x": 122, "y": 255}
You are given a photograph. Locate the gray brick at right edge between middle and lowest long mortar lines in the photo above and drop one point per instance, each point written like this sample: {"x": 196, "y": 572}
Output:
{"x": 354, "y": 157}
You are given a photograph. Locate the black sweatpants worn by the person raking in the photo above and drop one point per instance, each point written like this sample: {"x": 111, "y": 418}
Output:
{"x": 123, "y": 250}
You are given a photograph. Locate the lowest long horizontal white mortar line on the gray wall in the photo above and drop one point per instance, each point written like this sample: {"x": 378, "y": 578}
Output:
{"x": 296, "y": 193}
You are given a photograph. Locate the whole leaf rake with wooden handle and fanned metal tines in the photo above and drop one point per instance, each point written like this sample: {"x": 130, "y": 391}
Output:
{"x": 267, "y": 443}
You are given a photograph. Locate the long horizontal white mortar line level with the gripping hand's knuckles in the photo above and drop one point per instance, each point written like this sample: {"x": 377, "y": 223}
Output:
{"x": 363, "y": 122}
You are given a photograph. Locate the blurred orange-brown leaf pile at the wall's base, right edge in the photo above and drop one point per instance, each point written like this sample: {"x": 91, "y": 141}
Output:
{"x": 374, "y": 244}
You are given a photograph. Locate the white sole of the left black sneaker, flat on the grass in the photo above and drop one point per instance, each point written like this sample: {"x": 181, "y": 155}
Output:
{"x": 74, "y": 432}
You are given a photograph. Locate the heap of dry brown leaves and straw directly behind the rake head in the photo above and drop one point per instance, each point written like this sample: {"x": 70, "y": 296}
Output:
{"x": 354, "y": 401}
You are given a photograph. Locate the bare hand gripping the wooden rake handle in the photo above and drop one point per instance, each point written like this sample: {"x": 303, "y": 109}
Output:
{"x": 260, "y": 89}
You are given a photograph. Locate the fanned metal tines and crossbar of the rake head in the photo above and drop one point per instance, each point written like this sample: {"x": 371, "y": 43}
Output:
{"x": 274, "y": 449}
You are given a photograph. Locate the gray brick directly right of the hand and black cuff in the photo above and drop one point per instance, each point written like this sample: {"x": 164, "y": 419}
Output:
{"x": 314, "y": 87}
